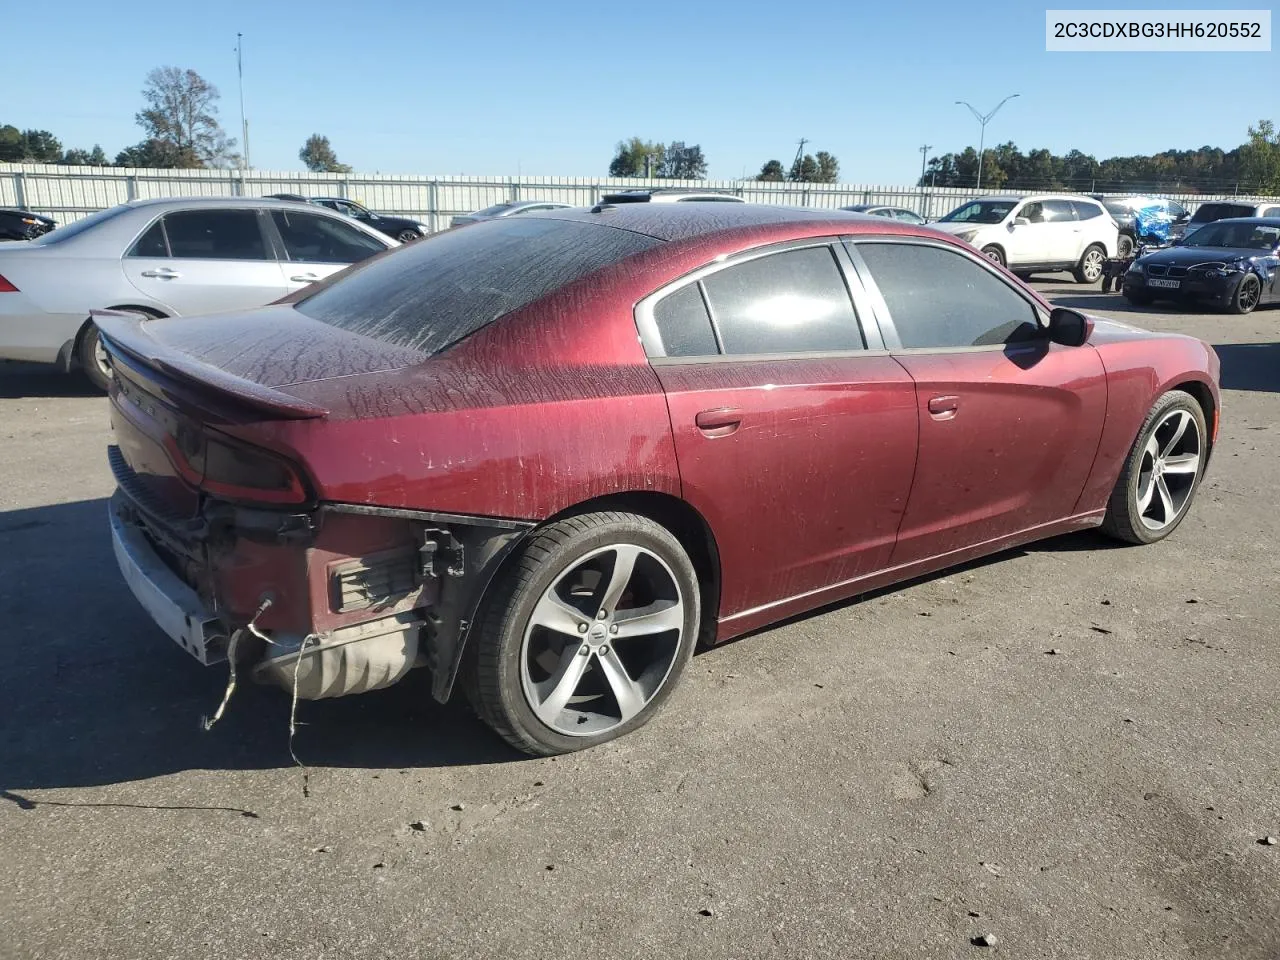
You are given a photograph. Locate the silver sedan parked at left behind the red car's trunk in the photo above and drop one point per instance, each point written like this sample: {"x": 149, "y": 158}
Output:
{"x": 164, "y": 258}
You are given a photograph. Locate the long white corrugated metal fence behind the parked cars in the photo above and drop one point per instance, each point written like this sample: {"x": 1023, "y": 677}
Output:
{"x": 71, "y": 193}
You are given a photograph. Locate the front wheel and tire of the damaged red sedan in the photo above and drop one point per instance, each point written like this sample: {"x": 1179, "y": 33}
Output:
{"x": 1162, "y": 474}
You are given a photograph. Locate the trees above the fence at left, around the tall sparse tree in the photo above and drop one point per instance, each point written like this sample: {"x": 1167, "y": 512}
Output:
{"x": 181, "y": 127}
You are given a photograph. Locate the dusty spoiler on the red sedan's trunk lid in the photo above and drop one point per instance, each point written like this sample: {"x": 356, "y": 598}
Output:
{"x": 126, "y": 335}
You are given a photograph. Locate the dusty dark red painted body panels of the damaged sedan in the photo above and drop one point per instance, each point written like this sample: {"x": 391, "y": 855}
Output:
{"x": 839, "y": 474}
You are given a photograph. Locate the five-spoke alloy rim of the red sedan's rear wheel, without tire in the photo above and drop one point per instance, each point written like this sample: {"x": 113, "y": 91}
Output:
{"x": 602, "y": 641}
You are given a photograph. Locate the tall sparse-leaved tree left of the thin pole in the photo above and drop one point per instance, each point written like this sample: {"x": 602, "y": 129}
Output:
{"x": 182, "y": 112}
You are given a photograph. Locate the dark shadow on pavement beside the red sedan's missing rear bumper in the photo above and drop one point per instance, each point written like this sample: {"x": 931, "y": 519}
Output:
{"x": 95, "y": 694}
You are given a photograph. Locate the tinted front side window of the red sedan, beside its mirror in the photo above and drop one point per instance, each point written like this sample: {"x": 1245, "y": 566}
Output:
{"x": 940, "y": 299}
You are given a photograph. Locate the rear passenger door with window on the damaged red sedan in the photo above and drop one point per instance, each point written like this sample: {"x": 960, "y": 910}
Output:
{"x": 796, "y": 432}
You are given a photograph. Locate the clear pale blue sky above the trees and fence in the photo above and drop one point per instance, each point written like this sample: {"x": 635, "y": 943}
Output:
{"x": 551, "y": 88}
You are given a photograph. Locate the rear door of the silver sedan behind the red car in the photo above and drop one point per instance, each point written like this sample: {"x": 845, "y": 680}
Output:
{"x": 205, "y": 262}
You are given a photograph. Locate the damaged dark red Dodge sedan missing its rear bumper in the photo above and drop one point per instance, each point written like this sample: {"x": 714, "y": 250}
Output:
{"x": 546, "y": 458}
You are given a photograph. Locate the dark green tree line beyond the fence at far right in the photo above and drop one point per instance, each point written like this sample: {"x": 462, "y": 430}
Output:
{"x": 1251, "y": 168}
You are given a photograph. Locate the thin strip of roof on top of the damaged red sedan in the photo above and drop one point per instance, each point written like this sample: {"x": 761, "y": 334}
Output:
{"x": 680, "y": 222}
